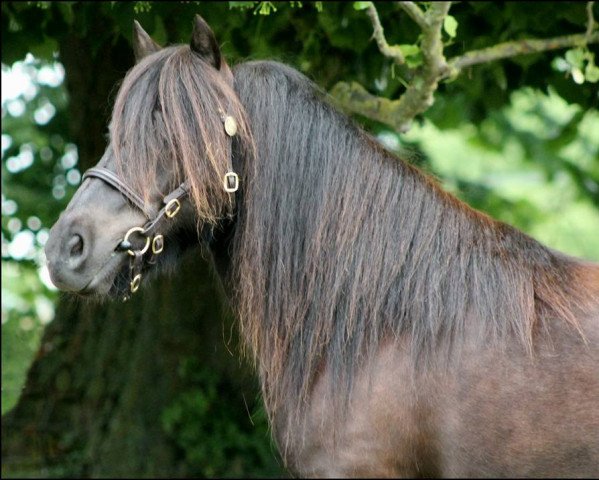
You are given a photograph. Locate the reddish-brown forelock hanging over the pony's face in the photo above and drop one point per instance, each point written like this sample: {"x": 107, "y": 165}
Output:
{"x": 169, "y": 111}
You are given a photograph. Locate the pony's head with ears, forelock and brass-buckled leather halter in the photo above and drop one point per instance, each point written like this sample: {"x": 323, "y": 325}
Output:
{"x": 166, "y": 177}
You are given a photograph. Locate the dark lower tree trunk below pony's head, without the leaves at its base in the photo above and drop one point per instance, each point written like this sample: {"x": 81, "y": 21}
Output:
{"x": 103, "y": 376}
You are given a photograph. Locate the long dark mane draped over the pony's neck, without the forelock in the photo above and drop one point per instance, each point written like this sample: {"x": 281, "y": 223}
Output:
{"x": 340, "y": 245}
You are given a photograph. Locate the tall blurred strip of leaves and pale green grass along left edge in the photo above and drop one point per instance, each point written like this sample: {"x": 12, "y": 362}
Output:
{"x": 39, "y": 174}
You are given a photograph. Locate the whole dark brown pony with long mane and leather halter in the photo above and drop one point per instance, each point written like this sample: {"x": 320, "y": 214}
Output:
{"x": 396, "y": 331}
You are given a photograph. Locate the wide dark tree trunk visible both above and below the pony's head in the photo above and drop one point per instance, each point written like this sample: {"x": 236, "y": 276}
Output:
{"x": 105, "y": 396}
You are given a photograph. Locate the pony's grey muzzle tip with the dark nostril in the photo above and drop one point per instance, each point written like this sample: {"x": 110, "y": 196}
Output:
{"x": 67, "y": 249}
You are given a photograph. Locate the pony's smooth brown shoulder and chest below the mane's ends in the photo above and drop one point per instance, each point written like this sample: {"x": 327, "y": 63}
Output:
{"x": 489, "y": 415}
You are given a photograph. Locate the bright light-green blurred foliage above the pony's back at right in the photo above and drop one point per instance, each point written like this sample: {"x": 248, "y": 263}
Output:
{"x": 533, "y": 164}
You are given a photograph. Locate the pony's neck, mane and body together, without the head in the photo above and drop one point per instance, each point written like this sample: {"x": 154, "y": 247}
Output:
{"x": 485, "y": 382}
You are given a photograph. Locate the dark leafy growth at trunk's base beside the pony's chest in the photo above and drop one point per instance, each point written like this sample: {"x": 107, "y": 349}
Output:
{"x": 239, "y": 445}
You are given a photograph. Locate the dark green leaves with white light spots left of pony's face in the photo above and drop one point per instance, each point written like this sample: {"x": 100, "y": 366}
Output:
{"x": 39, "y": 159}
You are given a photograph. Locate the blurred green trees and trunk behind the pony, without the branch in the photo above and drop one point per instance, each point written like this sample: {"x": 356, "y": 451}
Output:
{"x": 157, "y": 387}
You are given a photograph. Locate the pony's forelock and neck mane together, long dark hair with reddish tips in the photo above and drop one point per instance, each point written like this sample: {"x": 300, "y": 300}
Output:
{"x": 338, "y": 245}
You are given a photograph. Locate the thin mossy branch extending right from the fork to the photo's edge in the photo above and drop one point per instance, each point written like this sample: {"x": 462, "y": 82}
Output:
{"x": 519, "y": 47}
